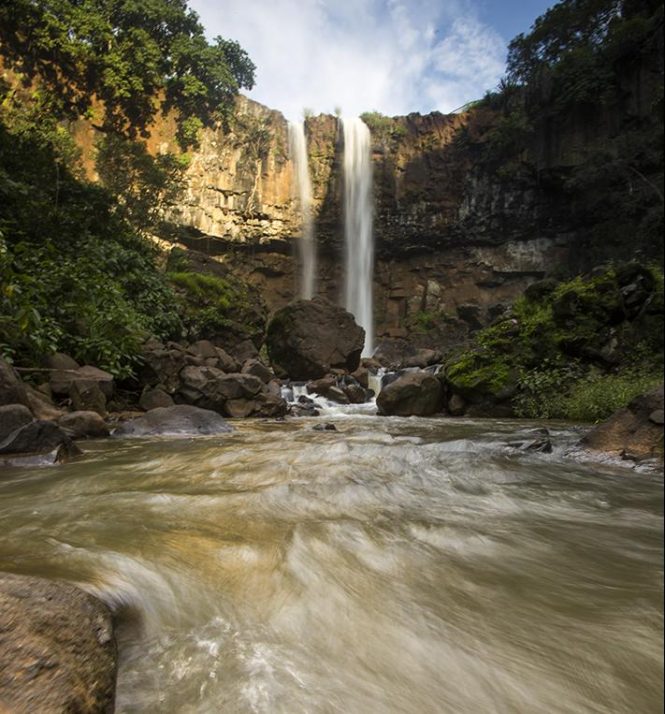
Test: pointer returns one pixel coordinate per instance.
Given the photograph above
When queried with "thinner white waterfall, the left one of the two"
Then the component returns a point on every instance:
(307, 247)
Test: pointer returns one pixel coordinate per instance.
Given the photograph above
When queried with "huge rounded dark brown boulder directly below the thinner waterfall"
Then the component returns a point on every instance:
(308, 338)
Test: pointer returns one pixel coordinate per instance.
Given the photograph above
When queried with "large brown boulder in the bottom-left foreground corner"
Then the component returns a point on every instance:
(57, 648)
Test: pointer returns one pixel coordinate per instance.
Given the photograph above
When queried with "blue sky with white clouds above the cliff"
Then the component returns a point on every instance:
(391, 56)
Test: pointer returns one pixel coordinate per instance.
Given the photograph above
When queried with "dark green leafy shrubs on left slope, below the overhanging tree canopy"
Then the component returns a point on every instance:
(74, 275)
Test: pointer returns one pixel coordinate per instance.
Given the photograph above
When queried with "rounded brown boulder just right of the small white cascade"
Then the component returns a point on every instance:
(412, 394)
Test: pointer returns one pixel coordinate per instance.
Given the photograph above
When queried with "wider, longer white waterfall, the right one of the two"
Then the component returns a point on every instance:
(358, 219)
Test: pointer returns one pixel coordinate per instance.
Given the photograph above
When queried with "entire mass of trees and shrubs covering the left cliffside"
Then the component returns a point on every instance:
(78, 272)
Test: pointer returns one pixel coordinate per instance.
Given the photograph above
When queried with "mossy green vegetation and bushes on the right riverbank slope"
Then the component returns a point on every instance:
(572, 350)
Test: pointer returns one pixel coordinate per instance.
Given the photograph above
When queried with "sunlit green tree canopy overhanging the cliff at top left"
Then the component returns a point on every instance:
(136, 56)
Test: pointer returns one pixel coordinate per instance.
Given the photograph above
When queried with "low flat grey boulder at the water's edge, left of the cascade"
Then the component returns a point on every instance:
(181, 420)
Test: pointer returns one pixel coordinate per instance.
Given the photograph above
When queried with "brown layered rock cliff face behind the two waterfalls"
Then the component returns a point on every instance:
(453, 244)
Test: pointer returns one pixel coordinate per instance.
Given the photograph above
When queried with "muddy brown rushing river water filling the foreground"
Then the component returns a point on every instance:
(393, 566)
